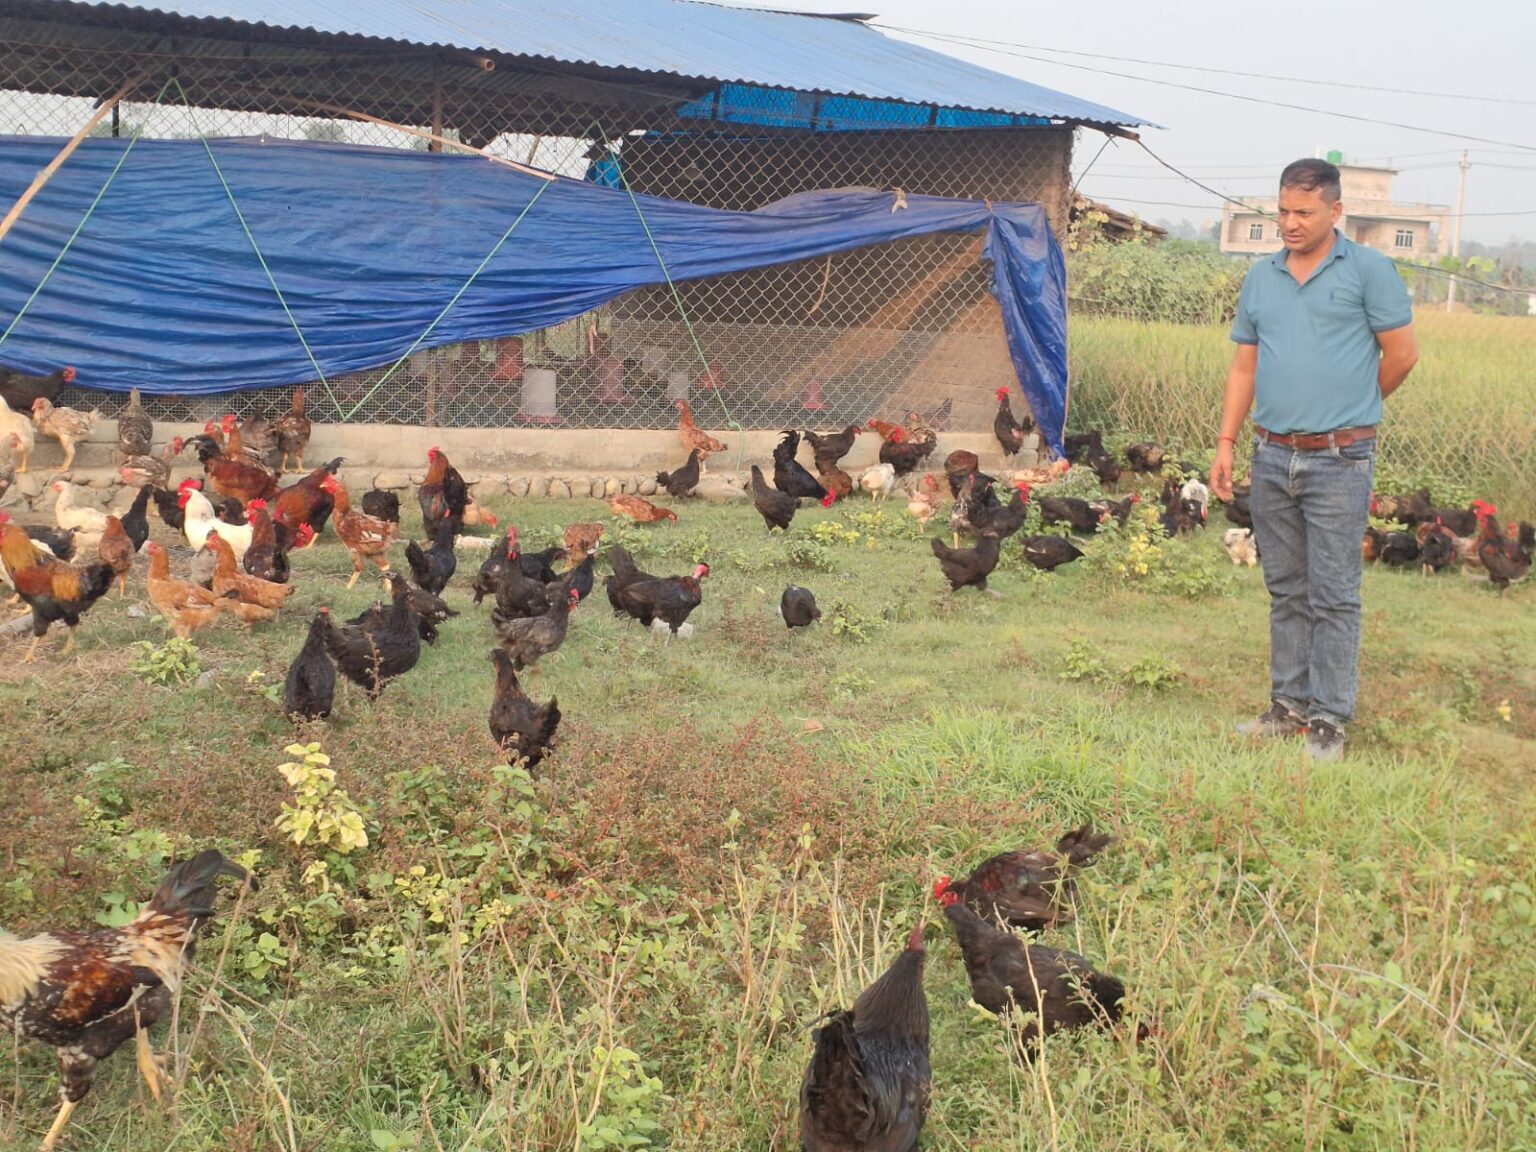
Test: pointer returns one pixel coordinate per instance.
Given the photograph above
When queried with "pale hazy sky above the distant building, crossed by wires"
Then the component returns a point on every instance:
(1465, 48)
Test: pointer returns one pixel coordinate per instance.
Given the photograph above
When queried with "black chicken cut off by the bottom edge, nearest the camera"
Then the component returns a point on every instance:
(867, 1085)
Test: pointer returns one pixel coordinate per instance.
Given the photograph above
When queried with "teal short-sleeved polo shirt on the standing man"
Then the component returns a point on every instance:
(1317, 342)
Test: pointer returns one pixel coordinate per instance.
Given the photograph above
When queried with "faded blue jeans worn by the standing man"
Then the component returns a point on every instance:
(1311, 511)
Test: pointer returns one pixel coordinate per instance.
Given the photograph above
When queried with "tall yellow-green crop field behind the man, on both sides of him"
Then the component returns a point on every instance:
(1468, 415)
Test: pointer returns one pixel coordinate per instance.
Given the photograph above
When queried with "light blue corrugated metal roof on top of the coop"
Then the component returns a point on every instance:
(678, 38)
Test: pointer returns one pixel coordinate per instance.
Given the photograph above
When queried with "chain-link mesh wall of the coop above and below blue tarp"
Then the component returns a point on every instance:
(872, 333)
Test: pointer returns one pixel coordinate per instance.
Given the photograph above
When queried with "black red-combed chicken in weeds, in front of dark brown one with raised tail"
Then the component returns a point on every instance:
(1054, 988)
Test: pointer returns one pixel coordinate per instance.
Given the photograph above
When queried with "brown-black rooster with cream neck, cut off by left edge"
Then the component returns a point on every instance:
(88, 993)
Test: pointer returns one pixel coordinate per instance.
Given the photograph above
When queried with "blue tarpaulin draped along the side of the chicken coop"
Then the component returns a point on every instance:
(164, 288)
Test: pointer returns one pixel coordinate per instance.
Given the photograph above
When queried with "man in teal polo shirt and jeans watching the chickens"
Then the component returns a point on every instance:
(1325, 334)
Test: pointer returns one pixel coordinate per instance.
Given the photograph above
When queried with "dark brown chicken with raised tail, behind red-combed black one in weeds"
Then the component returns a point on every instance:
(1030, 890)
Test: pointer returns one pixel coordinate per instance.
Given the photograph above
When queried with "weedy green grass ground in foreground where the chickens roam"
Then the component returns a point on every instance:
(738, 832)
